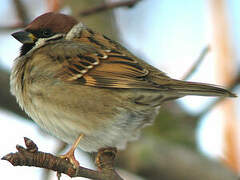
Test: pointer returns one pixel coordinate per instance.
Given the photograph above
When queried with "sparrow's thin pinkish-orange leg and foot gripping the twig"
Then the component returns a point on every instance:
(70, 154)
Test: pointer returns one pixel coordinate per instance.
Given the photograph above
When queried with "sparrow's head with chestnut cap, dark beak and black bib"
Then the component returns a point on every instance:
(45, 26)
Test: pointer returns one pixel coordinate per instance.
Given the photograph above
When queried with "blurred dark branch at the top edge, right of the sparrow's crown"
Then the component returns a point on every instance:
(107, 6)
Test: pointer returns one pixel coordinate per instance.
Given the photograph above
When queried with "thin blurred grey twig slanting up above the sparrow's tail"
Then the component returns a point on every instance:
(197, 62)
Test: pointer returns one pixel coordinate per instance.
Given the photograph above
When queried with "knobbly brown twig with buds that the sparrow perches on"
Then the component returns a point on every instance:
(30, 156)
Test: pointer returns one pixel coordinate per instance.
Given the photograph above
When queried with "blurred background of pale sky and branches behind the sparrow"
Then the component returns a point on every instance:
(192, 138)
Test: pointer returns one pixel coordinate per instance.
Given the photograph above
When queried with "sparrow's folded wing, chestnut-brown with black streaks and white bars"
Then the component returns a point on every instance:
(90, 66)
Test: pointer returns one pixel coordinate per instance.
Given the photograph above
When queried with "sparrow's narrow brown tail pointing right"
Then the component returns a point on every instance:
(183, 88)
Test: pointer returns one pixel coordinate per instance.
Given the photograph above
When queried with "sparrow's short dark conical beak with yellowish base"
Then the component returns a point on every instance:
(24, 37)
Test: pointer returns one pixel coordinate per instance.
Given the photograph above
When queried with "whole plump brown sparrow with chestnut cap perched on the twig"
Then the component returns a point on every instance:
(88, 90)
